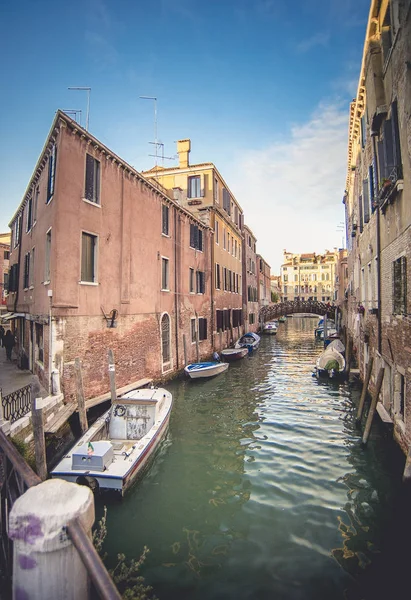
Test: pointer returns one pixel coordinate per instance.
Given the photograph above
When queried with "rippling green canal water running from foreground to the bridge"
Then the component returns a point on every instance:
(263, 491)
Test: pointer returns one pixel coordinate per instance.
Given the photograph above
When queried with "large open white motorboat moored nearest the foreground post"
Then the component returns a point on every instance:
(115, 450)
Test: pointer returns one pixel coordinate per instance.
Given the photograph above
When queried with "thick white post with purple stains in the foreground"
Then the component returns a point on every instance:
(45, 563)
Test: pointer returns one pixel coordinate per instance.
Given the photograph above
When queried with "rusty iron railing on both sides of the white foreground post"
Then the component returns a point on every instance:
(16, 477)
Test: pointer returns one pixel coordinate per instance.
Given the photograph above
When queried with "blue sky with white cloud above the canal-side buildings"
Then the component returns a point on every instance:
(262, 88)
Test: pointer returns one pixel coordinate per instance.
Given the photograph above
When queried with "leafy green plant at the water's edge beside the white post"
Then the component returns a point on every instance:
(125, 574)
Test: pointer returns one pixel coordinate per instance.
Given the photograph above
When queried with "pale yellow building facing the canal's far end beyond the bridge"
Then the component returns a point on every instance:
(309, 276)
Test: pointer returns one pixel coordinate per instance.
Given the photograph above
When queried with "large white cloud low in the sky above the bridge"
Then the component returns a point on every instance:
(291, 192)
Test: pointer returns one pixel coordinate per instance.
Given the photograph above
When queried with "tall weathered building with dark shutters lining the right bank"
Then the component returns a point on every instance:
(377, 201)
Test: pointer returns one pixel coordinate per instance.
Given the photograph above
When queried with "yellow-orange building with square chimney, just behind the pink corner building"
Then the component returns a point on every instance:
(202, 190)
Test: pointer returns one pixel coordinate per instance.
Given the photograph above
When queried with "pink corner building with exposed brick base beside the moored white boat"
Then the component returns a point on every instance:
(109, 260)
